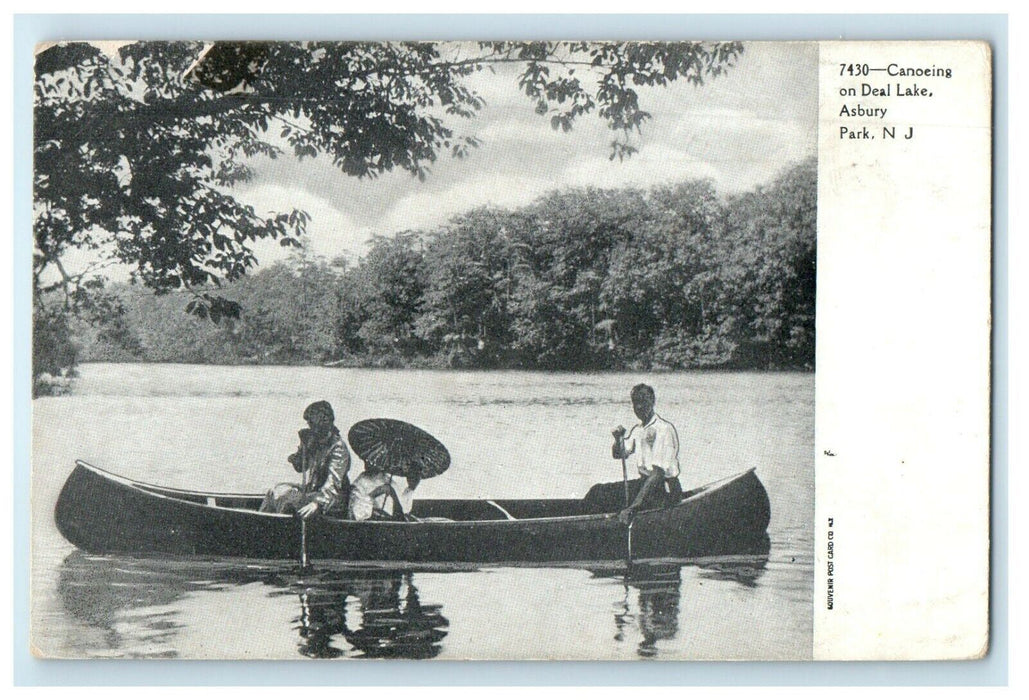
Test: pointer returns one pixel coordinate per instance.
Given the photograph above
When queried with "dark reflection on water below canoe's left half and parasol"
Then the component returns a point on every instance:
(342, 613)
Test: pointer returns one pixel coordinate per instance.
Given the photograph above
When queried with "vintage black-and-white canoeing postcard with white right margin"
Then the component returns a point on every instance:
(512, 351)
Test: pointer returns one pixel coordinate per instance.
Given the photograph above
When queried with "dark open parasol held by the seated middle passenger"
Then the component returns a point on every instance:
(399, 448)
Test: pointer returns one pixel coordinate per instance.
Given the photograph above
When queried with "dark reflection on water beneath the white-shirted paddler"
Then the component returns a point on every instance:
(659, 594)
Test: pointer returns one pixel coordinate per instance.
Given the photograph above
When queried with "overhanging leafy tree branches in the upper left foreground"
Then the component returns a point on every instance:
(136, 153)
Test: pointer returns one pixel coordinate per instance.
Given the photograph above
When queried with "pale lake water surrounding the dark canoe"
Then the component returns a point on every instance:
(511, 435)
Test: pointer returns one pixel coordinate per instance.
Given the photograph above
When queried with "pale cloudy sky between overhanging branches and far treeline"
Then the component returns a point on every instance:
(739, 130)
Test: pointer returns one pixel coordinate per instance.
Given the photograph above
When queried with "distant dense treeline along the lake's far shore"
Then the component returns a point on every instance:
(587, 279)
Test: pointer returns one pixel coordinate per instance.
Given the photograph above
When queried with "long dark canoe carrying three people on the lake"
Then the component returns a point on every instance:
(103, 513)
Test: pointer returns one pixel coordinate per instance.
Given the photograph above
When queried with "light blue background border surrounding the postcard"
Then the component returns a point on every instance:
(31, 29)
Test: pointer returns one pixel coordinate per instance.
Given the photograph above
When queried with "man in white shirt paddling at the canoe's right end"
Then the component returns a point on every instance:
(656, 445)
